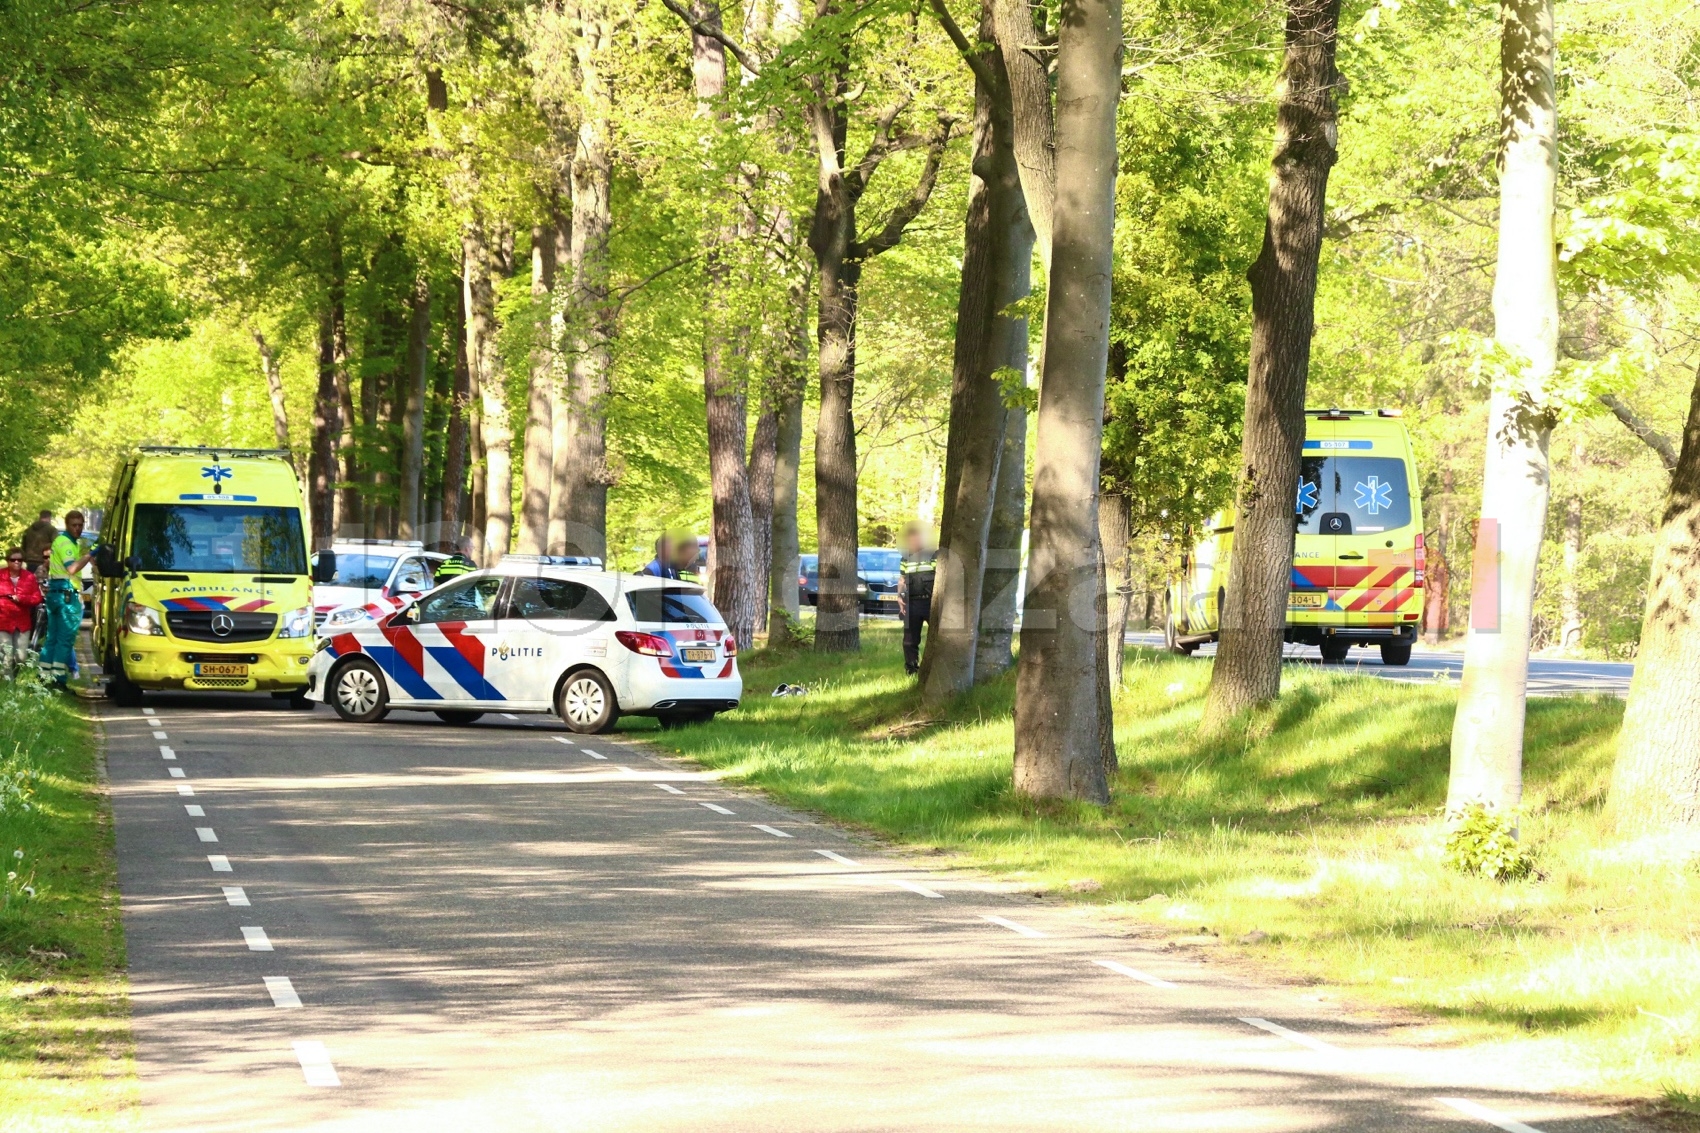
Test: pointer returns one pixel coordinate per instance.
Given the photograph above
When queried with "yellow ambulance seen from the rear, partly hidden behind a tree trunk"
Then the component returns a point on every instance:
(1357, 564)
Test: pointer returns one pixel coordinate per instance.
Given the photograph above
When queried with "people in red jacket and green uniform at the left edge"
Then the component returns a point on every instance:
(45, 574)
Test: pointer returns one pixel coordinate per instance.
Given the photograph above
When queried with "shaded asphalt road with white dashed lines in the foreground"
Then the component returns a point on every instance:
(412, 926)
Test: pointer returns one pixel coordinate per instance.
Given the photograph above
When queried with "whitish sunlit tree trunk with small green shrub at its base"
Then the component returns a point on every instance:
(1488, 729)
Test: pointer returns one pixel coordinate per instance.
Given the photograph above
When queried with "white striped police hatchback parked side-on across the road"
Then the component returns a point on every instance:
(538, 635)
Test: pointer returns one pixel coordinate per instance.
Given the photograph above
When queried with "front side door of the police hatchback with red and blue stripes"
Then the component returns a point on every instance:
(455, 634)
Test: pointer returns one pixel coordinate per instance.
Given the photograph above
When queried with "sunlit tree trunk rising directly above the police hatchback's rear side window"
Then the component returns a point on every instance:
(586, 516)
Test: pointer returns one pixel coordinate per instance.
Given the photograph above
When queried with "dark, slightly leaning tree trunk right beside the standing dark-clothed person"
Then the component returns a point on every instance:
(997, 266)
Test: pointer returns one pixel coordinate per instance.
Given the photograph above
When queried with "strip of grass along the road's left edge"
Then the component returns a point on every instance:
(65, 1050)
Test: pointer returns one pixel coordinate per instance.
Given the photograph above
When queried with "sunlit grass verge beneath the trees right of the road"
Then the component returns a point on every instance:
(1308, 843)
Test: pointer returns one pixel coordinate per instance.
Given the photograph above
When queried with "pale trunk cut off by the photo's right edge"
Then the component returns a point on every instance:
(1657, 780)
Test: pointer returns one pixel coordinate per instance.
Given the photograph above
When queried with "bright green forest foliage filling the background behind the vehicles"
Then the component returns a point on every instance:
(190, 191)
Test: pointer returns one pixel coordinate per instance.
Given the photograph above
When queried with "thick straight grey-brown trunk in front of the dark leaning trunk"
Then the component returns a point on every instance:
(1060, 727)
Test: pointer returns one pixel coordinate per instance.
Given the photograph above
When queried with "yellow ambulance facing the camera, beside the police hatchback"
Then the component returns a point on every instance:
(203, 576)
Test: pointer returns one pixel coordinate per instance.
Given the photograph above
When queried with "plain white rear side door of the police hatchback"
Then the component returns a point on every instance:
(552, 625)
